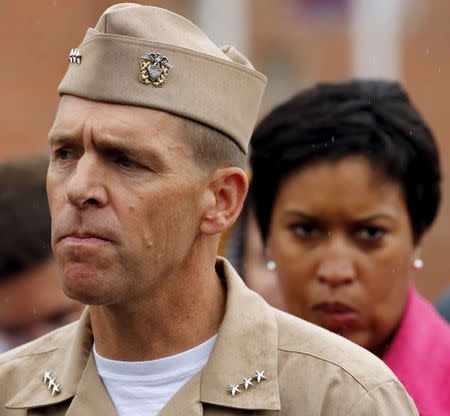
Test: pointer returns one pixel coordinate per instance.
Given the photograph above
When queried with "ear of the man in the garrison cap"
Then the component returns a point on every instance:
(229, 188)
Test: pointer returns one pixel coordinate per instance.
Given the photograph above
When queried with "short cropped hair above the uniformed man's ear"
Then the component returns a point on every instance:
(211, 148)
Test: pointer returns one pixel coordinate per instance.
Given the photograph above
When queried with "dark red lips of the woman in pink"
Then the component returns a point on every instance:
(335, 316)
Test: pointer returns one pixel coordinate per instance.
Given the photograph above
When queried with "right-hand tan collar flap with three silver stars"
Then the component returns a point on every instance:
(247, 342)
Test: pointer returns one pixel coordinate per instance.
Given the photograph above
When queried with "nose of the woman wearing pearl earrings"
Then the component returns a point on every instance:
(336, 269)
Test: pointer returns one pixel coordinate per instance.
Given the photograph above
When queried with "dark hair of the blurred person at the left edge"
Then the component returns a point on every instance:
(25, 217)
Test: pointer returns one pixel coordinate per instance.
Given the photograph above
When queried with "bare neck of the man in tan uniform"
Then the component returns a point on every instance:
(172, 320)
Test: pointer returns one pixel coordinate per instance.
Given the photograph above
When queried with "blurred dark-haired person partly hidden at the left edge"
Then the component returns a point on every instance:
(32, 302)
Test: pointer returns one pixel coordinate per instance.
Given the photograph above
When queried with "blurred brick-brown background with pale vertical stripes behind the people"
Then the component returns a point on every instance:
(294, 42)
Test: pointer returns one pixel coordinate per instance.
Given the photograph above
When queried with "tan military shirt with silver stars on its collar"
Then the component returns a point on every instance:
(308, 370)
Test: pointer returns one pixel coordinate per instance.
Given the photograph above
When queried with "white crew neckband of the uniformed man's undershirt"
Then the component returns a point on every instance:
(158, 370)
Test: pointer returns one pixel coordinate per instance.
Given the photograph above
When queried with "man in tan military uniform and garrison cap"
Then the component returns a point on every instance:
(147, 156)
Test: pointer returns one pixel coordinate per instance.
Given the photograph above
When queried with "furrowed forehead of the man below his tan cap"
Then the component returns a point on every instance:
(153, 136)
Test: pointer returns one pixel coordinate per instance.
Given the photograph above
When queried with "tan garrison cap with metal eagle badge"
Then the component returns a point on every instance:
(151, 57)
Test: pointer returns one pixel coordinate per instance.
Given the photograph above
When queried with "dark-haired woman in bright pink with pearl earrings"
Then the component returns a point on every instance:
(346, 180)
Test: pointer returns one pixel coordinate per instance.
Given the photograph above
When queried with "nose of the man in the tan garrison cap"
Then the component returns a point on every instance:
(86, 186)
